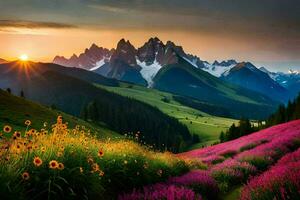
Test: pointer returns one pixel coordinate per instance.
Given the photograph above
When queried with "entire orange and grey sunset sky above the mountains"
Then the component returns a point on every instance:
(265, 32)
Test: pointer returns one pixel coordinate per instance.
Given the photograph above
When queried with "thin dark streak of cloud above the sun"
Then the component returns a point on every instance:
(33, 24)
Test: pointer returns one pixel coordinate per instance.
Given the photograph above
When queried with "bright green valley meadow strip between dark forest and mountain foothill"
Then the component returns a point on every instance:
(206, 126)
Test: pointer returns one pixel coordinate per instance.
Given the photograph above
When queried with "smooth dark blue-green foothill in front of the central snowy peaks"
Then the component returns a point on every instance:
(184, 79)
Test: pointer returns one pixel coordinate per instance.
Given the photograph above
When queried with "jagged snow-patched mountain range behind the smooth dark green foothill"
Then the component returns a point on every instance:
(142, 65)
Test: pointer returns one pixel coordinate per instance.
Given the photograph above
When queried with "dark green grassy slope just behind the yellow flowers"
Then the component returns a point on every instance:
(15, 110)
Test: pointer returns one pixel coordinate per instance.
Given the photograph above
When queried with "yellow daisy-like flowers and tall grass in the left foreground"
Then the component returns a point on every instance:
(61, 163)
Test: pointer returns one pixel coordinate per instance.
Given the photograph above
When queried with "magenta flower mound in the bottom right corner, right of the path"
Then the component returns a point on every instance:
(282, 181)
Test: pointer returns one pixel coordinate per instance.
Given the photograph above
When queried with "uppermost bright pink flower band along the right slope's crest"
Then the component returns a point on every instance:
(263, 139)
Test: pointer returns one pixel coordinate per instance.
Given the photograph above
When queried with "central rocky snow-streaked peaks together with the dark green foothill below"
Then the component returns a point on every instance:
(148, 65)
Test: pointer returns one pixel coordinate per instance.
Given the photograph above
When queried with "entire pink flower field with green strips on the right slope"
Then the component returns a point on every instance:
(248, 160)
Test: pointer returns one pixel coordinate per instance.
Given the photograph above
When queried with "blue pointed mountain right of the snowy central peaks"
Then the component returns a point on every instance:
(246, 75)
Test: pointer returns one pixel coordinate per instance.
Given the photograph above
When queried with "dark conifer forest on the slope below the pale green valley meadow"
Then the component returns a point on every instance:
(126, 115)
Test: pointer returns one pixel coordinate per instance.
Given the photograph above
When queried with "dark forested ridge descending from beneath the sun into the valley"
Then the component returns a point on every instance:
(74, 91)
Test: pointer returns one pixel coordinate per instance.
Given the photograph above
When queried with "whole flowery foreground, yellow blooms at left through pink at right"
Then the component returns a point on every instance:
(61, 162)
